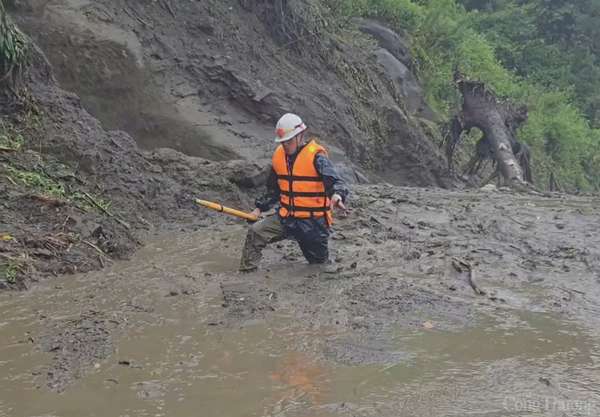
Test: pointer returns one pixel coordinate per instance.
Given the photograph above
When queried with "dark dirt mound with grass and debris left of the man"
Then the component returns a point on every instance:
(75, 195)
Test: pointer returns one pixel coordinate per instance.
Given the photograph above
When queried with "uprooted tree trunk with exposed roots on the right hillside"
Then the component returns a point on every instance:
(499, 122)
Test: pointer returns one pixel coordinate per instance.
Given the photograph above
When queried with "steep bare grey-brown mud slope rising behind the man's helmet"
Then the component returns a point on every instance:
(181, 75)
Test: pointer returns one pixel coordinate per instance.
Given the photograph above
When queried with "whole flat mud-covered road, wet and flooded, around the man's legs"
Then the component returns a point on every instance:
(445, 304)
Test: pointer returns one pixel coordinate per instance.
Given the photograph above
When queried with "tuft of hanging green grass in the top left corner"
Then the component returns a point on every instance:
(13, 50)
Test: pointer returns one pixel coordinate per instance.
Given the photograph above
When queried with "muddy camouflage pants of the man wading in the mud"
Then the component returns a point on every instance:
(311, 234)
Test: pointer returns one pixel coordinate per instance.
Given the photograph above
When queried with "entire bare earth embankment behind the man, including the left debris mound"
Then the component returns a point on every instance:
(206, 79)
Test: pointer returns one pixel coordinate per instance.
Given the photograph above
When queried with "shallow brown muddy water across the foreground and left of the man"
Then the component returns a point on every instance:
(158, 336)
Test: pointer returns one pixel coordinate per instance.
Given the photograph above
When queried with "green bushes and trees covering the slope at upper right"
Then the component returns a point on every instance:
(538, 52)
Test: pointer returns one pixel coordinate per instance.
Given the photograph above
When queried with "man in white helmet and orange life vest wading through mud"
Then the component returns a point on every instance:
(307, 188)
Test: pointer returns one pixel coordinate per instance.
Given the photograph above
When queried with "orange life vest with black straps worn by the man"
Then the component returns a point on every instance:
(302, 191)
